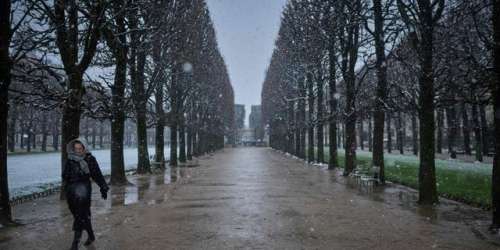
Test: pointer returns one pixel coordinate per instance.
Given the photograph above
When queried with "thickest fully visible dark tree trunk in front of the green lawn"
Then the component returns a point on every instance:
(421, 29)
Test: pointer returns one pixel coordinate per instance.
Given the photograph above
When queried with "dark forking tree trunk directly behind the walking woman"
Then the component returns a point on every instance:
(69, 36)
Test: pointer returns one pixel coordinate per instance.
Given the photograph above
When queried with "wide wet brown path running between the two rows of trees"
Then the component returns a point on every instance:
(254, 198)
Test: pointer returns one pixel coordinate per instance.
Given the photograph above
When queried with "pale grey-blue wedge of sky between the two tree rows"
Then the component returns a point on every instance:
(246, 31)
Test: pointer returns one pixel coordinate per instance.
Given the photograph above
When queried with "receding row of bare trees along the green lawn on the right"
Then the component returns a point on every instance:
(357, 69)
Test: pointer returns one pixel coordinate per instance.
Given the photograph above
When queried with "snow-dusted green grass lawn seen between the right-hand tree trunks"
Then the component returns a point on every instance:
(467, 182)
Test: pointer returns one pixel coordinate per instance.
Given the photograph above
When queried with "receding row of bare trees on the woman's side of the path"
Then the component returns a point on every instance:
(155, 63)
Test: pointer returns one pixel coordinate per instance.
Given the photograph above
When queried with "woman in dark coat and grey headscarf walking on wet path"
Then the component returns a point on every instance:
(79, 168)
